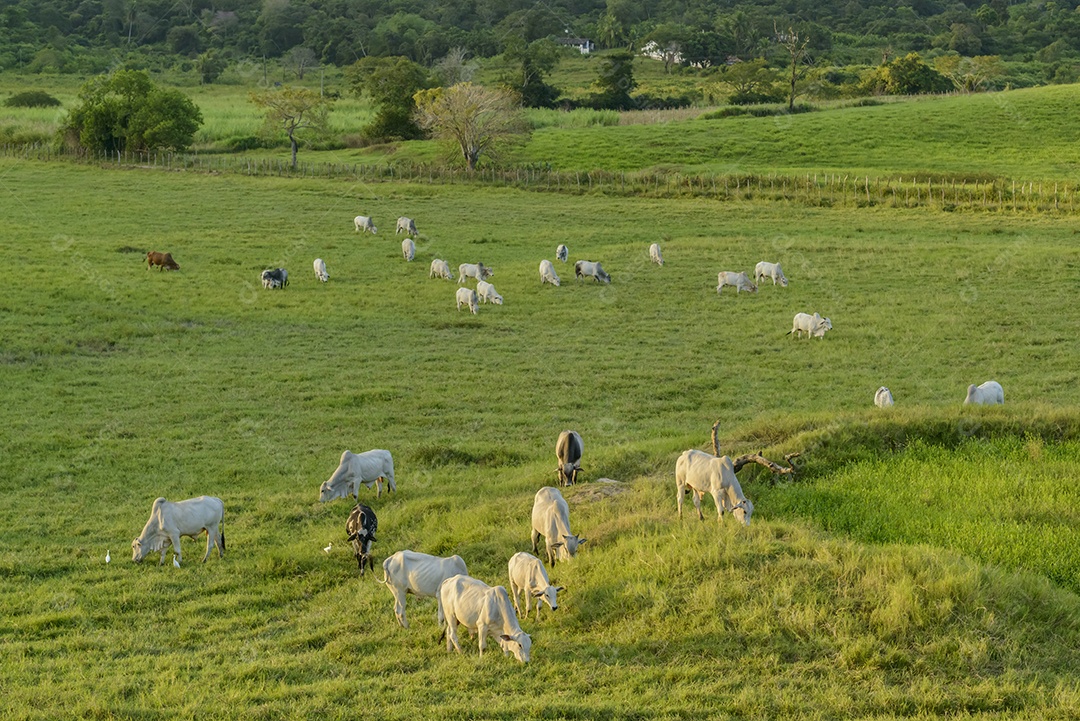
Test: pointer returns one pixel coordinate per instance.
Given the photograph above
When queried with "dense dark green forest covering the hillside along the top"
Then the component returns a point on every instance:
(91, 36)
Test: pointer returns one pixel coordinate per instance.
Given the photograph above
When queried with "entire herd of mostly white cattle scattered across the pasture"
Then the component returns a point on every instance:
(484, 610)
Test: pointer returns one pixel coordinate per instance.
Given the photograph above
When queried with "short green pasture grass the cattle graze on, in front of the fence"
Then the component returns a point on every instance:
(123, 385)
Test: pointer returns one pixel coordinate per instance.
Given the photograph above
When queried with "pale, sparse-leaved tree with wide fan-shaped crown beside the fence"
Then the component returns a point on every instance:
(477, 120)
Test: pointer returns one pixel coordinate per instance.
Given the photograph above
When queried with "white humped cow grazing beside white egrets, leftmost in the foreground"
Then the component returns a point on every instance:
(169, 522)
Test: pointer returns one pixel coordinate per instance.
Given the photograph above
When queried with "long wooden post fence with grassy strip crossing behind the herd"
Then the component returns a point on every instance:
(815, 189)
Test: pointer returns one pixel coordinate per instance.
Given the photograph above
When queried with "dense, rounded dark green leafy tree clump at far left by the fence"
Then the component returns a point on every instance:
(127, 112)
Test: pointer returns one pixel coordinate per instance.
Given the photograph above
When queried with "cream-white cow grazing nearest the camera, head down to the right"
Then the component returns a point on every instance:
(484, 611)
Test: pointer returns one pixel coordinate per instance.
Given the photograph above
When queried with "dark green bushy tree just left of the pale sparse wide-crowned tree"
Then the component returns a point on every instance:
(391, 84)
